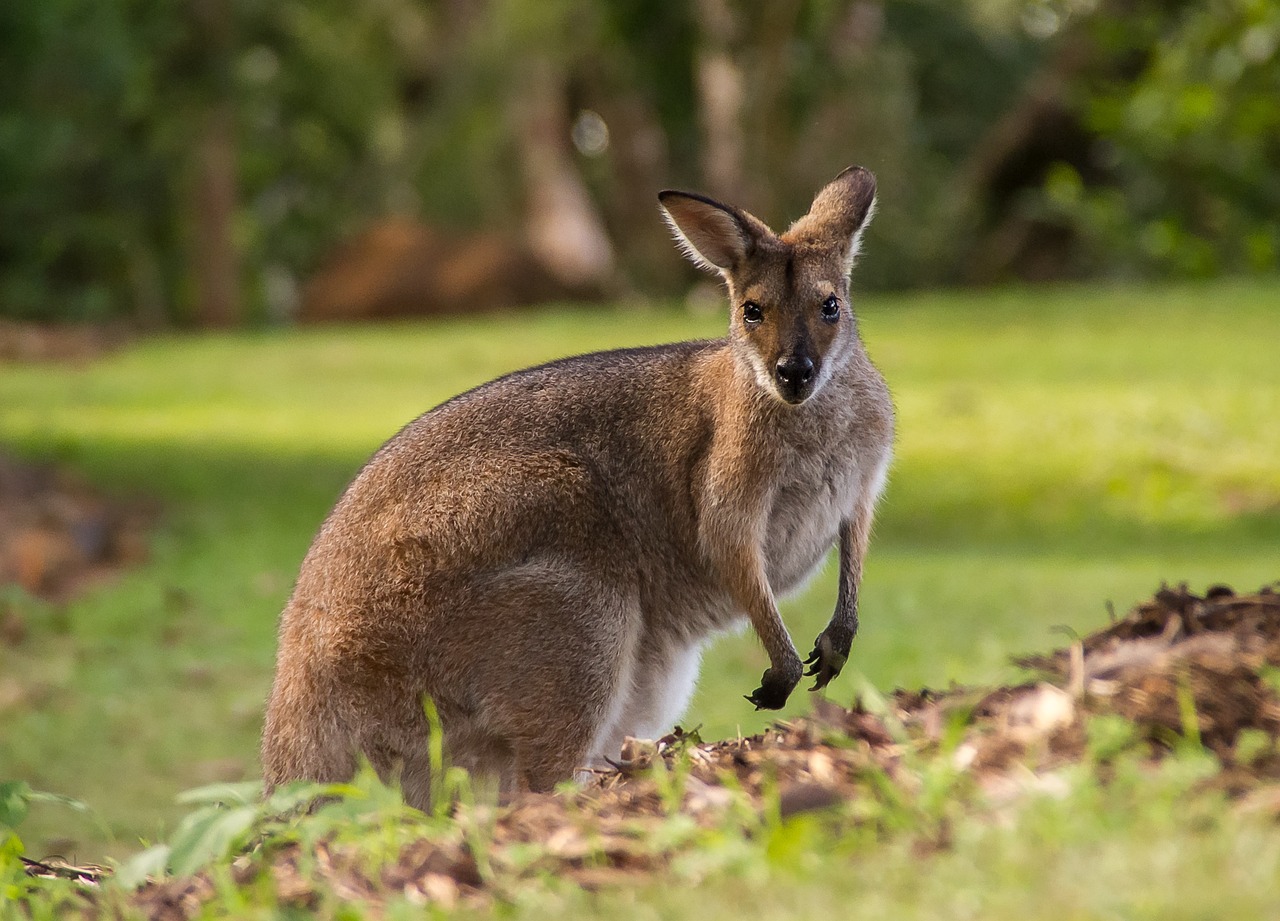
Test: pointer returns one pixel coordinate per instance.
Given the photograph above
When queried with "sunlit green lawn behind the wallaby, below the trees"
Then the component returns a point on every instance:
(1057, 450)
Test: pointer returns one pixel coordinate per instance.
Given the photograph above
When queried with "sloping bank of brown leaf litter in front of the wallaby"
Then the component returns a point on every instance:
(1178, 670)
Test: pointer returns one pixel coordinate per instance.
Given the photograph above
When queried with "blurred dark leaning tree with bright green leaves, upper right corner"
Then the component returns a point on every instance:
(1148, 145)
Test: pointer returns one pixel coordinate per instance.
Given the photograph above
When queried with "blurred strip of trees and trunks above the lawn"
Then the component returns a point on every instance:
(232, 162)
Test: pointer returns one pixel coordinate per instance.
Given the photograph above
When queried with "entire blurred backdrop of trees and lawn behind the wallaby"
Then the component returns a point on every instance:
(1072, 287)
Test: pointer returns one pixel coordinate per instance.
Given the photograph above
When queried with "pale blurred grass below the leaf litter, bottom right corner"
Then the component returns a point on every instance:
(1141, 849)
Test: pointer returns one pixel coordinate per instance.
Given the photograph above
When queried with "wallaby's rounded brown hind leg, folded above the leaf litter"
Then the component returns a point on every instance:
(527, 716)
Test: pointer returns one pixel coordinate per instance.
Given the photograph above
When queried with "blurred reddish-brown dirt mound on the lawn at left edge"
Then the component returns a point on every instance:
(58, 535)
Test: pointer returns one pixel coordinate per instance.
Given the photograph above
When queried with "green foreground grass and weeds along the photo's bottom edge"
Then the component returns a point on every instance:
(1150, 844)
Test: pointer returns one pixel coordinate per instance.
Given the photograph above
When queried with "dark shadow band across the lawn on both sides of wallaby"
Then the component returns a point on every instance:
(268, 498)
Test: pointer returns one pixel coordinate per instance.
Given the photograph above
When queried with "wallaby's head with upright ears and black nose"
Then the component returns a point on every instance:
(792, 324)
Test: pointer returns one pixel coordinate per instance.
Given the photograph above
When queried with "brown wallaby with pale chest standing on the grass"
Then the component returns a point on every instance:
(546, 556)
